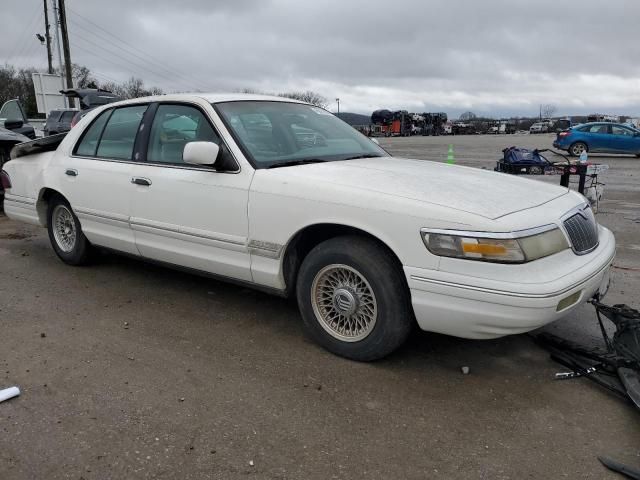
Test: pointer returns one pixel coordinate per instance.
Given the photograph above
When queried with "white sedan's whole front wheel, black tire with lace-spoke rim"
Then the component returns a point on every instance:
(354, 299)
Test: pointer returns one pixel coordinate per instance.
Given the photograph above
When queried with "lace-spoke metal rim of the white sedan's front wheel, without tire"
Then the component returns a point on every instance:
(344, 303)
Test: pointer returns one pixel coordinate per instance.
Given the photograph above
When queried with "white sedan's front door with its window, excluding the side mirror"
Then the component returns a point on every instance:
(188, 215)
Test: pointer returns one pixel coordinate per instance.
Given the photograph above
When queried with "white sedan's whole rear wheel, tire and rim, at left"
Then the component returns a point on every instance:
(65, 233)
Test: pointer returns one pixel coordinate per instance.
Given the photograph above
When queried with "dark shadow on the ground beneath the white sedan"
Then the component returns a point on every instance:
(281, 318)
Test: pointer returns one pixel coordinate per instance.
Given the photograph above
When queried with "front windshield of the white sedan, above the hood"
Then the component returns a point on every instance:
(273, 134)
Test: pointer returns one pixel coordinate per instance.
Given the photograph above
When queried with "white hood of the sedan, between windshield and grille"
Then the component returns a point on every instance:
(477, 191)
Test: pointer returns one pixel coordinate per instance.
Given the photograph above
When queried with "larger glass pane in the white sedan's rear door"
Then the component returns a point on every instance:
(119, 135)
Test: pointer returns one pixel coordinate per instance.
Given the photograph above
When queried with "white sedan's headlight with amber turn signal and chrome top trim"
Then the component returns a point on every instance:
(516, 247)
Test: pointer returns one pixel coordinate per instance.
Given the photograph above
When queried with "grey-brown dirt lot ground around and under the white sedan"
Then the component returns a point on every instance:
(132, 371)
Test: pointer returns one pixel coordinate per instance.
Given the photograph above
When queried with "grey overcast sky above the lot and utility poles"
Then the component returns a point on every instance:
(490, 57)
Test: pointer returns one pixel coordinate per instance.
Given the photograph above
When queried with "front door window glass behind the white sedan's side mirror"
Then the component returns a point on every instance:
(173, 127)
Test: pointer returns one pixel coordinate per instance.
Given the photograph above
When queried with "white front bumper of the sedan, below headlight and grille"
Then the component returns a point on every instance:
(472, 307)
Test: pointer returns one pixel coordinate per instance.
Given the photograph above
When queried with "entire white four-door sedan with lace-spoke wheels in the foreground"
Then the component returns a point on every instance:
(283, 196)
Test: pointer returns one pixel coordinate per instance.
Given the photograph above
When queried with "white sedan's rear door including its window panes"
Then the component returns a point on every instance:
(96, 177)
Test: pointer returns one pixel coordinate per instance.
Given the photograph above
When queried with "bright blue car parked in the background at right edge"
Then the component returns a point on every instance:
(599, 137)
